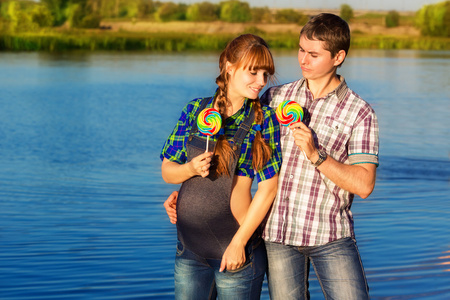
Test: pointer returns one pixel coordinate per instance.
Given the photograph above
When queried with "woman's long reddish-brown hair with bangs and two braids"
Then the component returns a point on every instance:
(251, 52)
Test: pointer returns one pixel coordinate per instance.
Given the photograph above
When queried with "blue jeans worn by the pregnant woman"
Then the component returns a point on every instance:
(198, 278)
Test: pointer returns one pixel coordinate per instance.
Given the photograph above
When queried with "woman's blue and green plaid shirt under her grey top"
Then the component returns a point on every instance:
(175, 147)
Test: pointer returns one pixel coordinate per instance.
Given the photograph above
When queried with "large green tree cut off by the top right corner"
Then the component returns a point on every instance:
(434, 20)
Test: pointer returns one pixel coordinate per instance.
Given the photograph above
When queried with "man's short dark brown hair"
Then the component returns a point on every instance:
(331, 29)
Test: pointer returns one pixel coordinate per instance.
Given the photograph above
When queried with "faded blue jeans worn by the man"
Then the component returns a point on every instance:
(337, 265)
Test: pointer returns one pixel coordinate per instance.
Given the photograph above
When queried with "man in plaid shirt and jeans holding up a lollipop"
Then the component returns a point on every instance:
(311, 221)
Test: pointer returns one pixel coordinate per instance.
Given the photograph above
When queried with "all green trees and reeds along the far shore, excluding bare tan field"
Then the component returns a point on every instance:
(74, 24)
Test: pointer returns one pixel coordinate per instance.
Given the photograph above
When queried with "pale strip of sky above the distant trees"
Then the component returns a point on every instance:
(398, 5)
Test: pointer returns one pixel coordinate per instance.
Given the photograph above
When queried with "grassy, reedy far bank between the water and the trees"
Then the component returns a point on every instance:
(179, 36)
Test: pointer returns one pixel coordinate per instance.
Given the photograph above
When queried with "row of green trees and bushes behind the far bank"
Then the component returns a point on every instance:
(27, 15)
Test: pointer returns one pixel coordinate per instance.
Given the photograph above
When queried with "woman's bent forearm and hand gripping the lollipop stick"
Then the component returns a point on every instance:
(173, 172)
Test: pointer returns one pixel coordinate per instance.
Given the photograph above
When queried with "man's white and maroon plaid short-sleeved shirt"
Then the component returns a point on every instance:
(309, 209)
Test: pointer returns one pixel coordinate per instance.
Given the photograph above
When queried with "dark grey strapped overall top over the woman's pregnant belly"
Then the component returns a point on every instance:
(205, 223)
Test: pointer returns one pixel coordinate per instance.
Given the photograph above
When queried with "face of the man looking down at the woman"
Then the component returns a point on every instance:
(316, 62)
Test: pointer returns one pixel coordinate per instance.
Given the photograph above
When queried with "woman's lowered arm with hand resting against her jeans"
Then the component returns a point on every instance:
(234, 256)
